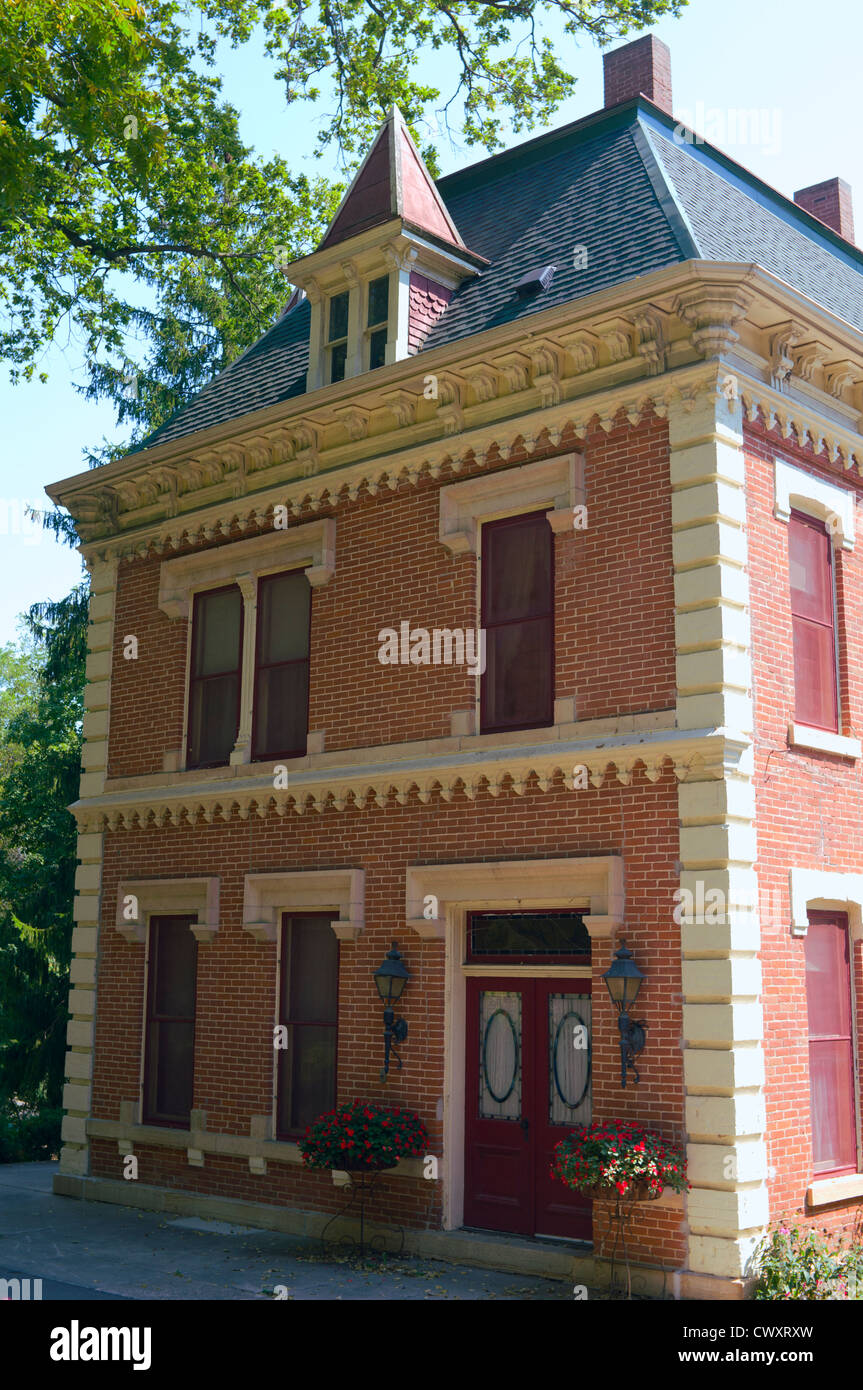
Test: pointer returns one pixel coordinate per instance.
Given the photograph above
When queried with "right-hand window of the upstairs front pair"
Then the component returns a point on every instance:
(281, 676)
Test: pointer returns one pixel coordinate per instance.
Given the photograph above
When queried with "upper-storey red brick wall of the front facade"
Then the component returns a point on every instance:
(614, 596)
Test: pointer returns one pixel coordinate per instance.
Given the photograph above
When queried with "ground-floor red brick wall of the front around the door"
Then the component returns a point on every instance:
(237, 976)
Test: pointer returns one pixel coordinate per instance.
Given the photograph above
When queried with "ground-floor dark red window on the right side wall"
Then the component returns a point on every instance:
(832, 1072)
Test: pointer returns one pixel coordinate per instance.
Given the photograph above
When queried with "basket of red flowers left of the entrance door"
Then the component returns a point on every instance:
(363, 1138)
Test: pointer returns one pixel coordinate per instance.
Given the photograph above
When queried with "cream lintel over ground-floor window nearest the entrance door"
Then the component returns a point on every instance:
(341, 892)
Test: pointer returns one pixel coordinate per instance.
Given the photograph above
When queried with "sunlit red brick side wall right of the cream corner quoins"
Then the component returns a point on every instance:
(808, 810)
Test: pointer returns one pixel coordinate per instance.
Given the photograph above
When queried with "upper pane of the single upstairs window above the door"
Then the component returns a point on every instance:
(518, 564)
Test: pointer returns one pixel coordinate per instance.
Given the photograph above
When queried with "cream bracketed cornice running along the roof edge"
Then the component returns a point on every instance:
(475, 402)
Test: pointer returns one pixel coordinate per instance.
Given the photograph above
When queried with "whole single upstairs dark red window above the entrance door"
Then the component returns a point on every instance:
(518, 690)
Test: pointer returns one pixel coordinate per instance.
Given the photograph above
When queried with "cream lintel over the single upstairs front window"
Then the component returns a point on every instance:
(551, 483)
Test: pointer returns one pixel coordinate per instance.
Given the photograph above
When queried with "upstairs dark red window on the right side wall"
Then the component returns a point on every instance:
(814, 625)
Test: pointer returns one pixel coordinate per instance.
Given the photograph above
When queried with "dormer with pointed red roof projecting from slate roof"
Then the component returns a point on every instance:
(388, 266)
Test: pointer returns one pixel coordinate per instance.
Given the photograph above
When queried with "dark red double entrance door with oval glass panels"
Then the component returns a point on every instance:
(529, 1084)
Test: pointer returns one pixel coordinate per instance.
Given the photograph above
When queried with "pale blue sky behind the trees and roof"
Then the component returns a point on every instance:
(797, 65)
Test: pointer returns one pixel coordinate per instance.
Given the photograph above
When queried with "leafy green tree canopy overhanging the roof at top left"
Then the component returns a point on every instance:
(133, 215)
